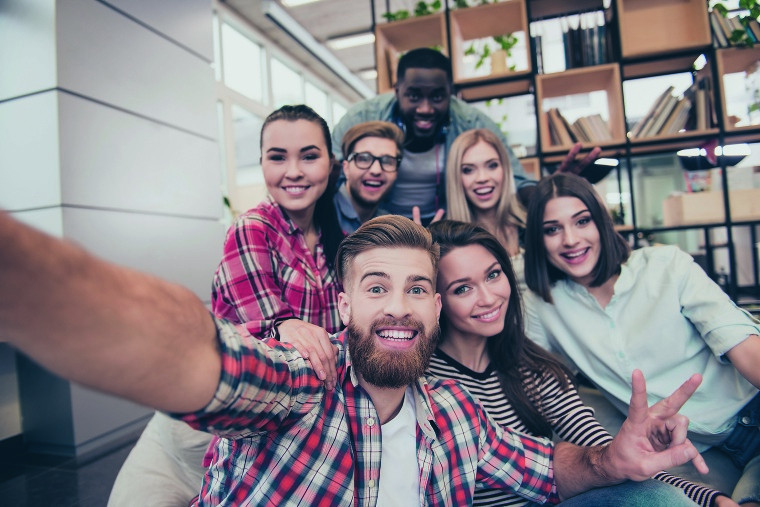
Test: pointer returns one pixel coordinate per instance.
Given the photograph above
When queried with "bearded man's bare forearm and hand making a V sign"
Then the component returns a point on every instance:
(651, 439)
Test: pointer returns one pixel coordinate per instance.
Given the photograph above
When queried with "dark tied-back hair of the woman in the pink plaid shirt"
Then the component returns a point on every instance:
(325, 215)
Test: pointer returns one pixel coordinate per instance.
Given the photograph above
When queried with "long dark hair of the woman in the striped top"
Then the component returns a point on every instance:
(516, 359)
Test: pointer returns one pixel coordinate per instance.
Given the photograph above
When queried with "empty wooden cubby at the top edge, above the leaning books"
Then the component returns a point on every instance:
(652, 27)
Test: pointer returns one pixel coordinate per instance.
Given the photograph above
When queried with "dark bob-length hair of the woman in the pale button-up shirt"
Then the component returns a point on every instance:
(540, 274)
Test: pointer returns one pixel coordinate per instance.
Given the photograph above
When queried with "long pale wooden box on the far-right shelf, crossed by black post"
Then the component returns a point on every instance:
(707, 207)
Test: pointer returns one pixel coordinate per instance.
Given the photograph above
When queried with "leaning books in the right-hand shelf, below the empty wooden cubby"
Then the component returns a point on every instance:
(670, 113)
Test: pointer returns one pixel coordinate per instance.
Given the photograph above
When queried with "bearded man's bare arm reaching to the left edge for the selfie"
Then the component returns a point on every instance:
(107, 327)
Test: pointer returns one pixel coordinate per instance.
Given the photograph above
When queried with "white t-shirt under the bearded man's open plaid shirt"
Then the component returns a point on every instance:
(399, 472)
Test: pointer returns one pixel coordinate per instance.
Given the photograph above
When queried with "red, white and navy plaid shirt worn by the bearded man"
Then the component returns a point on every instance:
(289, 441)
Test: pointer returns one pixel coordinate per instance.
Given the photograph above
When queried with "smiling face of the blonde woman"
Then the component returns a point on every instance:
(482, 176)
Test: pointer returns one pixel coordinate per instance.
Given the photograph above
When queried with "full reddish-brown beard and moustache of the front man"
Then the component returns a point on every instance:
(386, 367)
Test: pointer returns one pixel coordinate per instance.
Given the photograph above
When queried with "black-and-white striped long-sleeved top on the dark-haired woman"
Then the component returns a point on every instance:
(571, 420)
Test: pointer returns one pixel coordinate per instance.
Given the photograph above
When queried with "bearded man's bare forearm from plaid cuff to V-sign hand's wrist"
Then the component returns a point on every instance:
(578, 469)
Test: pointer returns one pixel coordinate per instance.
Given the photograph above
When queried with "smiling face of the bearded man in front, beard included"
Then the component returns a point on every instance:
(391, 309)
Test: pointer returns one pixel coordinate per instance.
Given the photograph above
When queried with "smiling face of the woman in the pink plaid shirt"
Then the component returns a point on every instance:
(296, 165)
